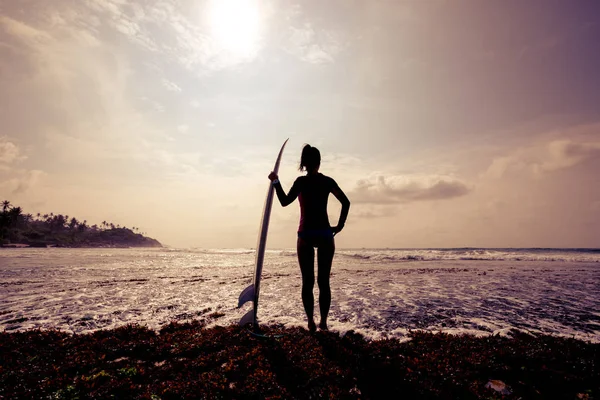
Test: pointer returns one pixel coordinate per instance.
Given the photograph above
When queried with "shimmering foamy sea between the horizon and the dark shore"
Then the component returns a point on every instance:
(376, 292)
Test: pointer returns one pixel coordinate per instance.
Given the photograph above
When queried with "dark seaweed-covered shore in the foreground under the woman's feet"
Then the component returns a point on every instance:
(188, 360)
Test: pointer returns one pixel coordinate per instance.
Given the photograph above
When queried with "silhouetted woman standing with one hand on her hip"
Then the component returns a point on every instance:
(313, 191)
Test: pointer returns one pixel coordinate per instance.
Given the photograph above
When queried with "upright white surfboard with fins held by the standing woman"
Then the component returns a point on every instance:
(252, 291)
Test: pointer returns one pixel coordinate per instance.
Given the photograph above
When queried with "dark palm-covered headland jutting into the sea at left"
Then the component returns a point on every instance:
(18, 229)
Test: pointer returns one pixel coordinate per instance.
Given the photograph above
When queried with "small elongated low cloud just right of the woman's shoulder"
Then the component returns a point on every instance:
(397, 189)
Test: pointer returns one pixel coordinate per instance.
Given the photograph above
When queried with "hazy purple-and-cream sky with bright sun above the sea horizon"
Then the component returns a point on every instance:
(447, 124)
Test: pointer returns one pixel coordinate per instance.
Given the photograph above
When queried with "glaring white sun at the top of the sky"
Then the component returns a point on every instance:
(234, 25)
